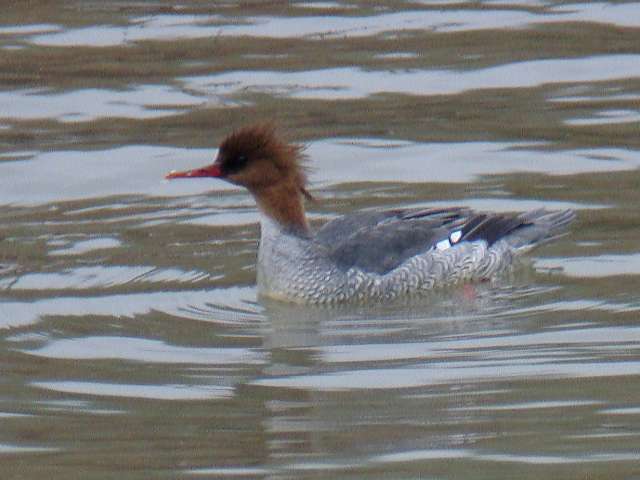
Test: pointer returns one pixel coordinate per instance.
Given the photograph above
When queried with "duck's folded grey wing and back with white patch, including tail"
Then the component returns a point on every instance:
(378, 242)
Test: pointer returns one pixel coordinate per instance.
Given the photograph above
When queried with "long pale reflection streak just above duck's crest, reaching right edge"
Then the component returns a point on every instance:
(346, 83)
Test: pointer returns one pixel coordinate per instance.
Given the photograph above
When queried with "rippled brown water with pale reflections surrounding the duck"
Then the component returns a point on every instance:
(132, 345)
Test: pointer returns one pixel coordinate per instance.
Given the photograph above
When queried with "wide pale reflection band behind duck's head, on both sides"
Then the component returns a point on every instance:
(125, 170)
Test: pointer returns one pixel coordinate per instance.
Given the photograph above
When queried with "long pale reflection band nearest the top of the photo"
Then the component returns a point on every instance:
(169, 27)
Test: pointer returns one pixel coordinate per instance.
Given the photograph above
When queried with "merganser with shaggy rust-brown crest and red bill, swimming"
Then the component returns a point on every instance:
(377, 255)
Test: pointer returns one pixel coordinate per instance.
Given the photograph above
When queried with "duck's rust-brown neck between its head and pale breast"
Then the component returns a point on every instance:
(283, 205)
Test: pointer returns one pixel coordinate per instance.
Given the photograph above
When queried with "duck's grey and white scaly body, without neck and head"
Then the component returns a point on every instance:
(376, 256)
